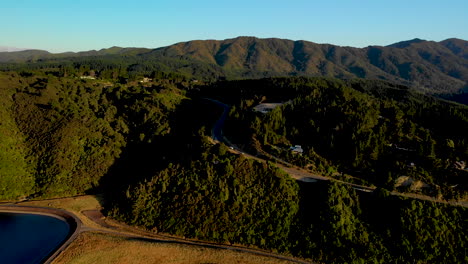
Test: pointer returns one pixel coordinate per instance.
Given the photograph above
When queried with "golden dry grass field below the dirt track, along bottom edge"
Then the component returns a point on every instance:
(103, 248)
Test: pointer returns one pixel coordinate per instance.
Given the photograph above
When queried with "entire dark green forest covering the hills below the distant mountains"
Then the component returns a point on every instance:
(141, 136)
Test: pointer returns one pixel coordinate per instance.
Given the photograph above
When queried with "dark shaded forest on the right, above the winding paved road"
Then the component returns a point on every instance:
(374, 130)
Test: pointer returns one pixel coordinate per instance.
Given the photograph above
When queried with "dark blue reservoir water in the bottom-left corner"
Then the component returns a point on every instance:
(29, 238)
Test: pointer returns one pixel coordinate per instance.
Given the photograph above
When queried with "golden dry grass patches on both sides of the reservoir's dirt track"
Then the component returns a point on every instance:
(105, 248)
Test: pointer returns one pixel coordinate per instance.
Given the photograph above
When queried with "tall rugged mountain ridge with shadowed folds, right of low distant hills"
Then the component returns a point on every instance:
(440, 66)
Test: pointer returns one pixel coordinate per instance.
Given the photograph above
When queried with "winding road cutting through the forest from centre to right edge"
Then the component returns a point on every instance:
(301, 174)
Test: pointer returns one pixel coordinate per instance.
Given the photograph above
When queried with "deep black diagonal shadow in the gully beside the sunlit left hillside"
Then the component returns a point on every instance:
(142, 160)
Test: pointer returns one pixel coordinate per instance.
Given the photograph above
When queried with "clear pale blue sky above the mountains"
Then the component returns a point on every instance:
(76, 25)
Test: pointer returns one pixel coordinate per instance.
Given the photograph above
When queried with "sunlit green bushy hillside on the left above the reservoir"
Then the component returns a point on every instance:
(61, 135)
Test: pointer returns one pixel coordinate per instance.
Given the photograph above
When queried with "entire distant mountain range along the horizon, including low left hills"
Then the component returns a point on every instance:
(437, 67)
